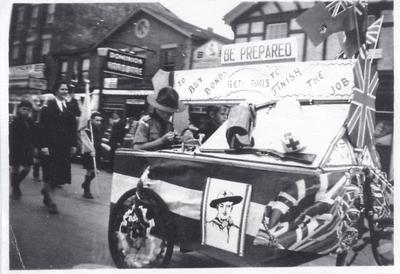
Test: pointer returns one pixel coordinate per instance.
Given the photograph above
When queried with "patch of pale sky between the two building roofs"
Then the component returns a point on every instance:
(204, 13)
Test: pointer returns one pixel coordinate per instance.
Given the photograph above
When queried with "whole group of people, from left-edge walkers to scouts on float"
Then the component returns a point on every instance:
(43, 135)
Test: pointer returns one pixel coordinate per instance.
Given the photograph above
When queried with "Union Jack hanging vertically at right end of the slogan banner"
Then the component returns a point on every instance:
(361, 118)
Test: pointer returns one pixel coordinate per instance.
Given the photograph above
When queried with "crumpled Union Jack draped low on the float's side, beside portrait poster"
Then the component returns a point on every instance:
(305, 210)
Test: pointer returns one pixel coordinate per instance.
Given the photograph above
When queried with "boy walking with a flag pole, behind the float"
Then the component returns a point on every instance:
(88, 157)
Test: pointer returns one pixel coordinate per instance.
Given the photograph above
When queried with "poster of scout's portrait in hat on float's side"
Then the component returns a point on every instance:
(224, 214)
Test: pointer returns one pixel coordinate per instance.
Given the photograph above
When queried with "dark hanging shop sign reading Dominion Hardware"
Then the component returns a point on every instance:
(124, 64)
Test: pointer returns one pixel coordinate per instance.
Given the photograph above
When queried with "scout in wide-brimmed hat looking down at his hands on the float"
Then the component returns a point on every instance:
(155, 131)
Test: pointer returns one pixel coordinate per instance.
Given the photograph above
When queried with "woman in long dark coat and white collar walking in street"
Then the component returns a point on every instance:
(59, 141)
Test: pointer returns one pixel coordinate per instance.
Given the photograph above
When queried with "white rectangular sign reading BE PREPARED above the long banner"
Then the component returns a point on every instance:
(284, 49)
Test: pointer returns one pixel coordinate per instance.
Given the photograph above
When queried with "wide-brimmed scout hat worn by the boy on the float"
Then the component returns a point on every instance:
(167, 100)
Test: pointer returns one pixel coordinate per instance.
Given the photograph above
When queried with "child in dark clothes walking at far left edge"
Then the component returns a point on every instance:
(21, 146)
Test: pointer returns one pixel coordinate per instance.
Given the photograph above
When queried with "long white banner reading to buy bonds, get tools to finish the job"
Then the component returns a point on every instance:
(263, 82)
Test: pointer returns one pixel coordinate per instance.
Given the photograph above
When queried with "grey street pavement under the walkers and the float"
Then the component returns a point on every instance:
(76, 238)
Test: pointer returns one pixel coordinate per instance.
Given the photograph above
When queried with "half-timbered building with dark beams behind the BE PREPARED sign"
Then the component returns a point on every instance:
(252, 21)
